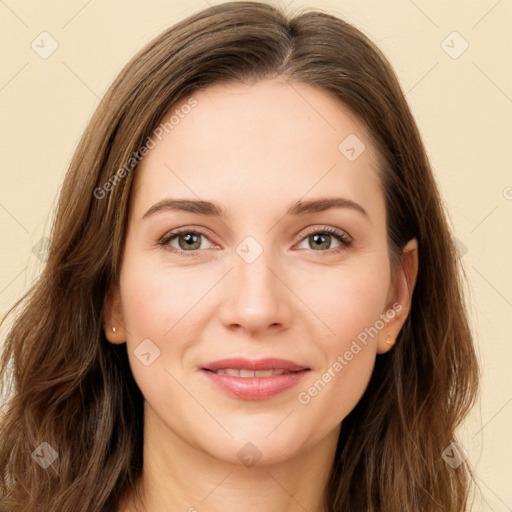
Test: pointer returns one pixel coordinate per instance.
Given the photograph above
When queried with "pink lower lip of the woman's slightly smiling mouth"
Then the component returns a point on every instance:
(254, 388)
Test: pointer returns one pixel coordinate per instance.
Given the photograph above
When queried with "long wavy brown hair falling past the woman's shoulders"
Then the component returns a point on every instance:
(74, 390)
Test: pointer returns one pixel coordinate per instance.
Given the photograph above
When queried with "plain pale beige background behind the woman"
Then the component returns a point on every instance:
(463, 107)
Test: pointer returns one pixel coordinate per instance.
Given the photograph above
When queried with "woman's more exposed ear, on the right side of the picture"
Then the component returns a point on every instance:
(399, 297)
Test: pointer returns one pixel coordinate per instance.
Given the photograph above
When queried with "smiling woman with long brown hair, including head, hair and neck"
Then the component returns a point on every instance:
(252, 295)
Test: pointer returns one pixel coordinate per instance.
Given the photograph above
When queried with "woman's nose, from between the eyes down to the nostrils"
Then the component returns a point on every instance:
(256, 297)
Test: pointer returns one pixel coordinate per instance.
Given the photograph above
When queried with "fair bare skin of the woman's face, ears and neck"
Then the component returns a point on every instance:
(272, 146)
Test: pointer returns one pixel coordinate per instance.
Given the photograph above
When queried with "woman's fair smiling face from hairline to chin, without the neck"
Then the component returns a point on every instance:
(261, 280)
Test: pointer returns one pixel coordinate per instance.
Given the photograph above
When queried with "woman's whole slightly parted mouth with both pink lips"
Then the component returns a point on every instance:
(246, 379)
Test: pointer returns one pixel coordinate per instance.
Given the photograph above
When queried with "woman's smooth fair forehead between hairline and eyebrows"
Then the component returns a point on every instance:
(258, 144)
